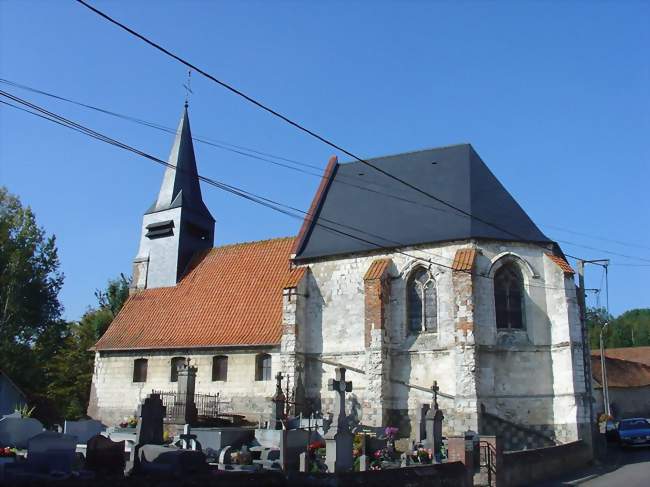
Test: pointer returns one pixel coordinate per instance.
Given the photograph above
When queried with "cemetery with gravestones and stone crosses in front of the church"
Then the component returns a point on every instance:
(283, 449)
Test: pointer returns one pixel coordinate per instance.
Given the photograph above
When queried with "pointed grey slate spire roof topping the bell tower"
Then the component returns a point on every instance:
(180, 186)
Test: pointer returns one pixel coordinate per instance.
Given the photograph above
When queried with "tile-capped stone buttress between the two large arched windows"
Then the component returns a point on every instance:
(466, 411)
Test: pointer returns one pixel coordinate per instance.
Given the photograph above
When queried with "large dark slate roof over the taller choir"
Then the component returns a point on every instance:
(455, 174)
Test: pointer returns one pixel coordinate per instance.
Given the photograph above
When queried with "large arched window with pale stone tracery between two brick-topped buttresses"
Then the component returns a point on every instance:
(422, 302)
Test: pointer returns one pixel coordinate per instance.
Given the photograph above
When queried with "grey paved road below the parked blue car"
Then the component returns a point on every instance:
(626, 468)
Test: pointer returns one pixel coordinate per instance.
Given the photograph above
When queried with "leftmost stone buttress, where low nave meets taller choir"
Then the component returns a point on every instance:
(294, 297)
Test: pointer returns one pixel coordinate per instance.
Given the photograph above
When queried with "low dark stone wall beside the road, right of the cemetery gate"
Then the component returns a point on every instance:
(528, 466)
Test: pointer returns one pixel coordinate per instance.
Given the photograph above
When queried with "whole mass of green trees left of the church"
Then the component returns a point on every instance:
(49, 358)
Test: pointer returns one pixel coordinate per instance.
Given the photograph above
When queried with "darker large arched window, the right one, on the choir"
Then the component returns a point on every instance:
(509, 297)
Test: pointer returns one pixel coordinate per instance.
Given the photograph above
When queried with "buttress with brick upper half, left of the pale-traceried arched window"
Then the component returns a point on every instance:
(376, 299)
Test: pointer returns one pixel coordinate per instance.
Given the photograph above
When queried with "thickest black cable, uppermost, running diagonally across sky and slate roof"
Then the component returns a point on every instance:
(295, 124)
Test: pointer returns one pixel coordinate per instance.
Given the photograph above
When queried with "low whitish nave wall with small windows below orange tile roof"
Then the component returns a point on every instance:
(120, 396)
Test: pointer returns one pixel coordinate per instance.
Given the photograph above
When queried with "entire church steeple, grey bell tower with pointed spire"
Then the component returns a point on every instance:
(178, 224)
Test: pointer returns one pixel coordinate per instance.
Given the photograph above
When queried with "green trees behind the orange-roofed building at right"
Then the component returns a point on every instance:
(631, 329)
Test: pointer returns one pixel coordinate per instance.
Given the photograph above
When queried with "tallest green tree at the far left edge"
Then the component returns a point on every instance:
(30, 282)
